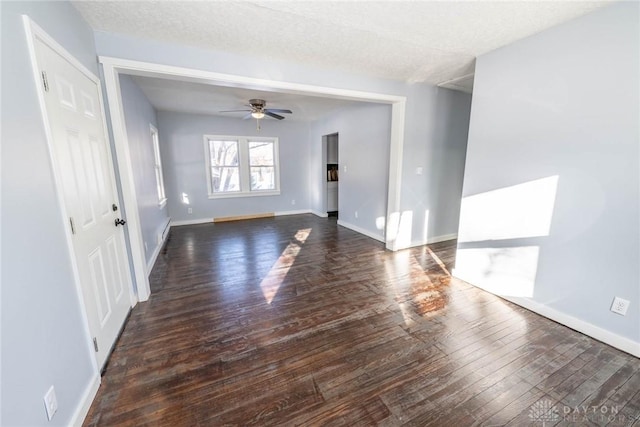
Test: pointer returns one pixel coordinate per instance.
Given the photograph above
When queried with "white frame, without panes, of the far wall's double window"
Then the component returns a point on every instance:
(243, 166)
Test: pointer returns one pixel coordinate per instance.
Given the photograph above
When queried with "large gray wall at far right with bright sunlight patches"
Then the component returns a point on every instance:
(563, 104)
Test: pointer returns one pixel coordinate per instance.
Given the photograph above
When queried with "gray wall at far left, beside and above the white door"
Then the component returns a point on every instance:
(44, 341)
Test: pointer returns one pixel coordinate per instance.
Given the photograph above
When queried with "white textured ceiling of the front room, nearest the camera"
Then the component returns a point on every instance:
(413, 41)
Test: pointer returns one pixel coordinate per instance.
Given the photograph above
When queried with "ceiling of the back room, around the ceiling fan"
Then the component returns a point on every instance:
(197, 98)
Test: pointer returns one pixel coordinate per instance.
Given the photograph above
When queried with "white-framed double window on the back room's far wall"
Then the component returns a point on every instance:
(239, 166)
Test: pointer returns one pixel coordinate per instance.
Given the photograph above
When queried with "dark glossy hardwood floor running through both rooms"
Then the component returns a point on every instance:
(296, 321)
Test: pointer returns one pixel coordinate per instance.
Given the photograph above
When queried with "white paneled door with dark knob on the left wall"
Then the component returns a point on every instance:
(83, 161)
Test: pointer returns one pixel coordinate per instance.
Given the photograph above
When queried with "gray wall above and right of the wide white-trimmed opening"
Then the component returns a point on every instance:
(421, 126)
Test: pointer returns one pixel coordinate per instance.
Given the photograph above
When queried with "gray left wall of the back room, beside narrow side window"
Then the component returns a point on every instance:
(139, 114)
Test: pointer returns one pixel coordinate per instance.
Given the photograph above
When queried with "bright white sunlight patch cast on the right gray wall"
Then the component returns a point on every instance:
(493, 252)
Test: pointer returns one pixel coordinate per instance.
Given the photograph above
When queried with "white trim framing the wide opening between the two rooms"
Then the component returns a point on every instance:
(113, 67)
